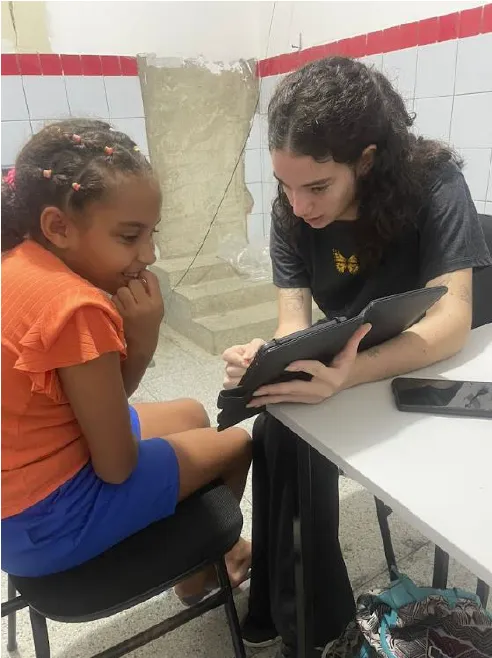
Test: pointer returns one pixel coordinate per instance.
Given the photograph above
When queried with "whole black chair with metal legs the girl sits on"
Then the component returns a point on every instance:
(203, 529)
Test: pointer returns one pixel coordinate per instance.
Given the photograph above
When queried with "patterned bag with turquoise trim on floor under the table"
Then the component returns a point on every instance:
(406, 621)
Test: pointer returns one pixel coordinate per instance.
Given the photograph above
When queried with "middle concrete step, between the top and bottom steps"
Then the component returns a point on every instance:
(220, 295)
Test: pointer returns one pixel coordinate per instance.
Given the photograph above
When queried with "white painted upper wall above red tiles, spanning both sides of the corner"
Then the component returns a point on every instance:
(223, 30)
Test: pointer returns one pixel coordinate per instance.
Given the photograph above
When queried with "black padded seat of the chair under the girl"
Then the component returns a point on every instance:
(204, 528)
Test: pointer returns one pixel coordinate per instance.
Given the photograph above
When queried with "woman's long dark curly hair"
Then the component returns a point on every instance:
(334, 108)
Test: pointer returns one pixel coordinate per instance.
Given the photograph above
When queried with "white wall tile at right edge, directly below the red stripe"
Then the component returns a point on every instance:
(474, 64)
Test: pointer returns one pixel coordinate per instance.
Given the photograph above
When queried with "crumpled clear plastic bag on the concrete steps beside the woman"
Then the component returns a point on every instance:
(251, 261)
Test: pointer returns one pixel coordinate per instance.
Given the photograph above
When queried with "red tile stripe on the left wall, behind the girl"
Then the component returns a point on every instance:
(49, 64)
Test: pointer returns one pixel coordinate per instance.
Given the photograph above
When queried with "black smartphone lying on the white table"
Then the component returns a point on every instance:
(443, 396)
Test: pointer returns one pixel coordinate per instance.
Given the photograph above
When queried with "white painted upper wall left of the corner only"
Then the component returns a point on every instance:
(219, 31)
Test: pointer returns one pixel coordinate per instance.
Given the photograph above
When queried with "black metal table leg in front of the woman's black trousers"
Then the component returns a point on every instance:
(303, 550)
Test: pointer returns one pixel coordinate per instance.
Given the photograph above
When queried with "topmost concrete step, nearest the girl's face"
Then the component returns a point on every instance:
(205, 268)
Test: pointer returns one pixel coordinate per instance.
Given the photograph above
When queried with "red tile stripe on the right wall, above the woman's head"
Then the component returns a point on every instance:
(462, 24)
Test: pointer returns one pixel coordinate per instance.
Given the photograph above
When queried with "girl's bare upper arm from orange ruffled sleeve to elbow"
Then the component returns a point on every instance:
(97, 396)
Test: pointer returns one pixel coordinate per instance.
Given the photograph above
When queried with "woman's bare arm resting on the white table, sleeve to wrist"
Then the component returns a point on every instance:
(439, 335)
